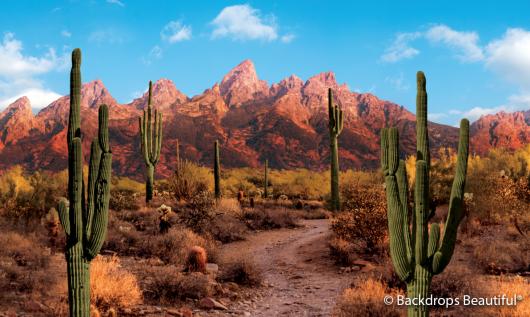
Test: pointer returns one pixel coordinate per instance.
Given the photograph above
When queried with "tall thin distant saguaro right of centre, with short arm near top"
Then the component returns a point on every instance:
(336, 123)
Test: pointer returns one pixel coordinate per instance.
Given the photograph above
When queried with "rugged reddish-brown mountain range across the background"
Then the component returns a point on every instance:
(285, 123)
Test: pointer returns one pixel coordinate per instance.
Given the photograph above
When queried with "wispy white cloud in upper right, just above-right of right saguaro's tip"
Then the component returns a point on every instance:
(466, 43)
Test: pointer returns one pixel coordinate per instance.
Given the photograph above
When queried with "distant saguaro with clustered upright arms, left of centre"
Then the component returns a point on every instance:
(151, 140)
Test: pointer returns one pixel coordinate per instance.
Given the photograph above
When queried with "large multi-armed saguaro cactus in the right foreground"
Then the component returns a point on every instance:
(418, 253)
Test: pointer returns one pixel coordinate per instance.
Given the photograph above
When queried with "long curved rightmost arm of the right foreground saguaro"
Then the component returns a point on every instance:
(445, 252)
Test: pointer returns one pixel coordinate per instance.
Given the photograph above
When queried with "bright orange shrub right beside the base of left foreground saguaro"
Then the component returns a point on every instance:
(111, 285)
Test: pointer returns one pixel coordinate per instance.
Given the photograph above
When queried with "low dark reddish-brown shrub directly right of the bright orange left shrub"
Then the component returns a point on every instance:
(167, 285)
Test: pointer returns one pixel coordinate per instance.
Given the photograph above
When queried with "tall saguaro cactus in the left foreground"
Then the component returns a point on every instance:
(85, 218)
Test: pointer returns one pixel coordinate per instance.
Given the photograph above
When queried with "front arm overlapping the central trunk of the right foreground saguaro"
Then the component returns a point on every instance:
(422, 211)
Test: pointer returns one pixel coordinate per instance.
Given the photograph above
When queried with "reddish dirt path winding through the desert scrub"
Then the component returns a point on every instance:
(300, 278)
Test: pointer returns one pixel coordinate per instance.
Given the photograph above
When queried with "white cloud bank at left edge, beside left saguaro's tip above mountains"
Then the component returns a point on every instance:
(18, 73)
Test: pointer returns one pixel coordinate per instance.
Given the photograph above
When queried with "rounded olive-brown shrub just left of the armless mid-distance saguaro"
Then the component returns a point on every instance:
(189, 180)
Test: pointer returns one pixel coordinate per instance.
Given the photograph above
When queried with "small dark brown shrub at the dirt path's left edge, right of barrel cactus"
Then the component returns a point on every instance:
(241, 271)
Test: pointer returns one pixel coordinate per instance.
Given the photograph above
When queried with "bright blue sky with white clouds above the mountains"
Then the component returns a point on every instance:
(476, 54)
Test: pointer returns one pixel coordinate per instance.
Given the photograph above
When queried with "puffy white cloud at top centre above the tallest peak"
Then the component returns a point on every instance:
(242, 22)
